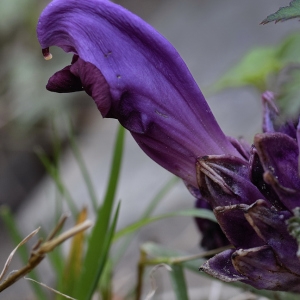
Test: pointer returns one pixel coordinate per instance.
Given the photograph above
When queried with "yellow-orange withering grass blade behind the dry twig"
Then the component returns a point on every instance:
(73, 265)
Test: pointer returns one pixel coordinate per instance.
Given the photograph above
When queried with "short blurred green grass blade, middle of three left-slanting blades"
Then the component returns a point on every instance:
(54, 173)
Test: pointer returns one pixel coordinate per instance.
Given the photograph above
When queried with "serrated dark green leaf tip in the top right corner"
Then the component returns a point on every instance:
(284, 13)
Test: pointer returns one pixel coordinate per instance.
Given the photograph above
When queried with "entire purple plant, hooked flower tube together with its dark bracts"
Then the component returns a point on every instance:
(136, 76)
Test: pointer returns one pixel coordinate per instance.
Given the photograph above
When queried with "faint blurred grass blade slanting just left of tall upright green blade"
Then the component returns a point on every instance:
(83, 169)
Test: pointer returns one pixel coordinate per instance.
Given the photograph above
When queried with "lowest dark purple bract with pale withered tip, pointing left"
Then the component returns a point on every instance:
(256, 266)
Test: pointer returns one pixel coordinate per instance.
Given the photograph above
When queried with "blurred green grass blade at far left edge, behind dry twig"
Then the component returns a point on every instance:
(15, 235)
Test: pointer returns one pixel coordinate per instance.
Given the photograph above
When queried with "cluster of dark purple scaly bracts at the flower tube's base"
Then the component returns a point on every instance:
(252, 202)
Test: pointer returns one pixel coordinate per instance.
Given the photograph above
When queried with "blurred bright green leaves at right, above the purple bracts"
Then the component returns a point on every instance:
(275, 68)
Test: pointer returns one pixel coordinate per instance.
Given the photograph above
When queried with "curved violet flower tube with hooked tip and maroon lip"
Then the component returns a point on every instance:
(136, 76)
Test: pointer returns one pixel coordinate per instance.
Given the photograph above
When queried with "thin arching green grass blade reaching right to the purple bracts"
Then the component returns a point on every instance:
(200, 213)
